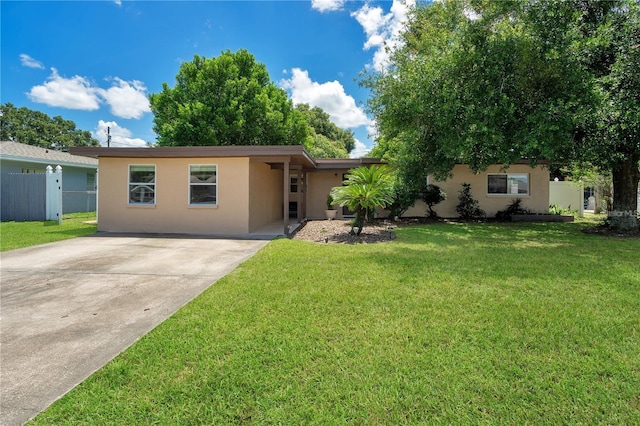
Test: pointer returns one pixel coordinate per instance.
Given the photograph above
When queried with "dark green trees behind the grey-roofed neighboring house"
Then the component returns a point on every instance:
(37, 128)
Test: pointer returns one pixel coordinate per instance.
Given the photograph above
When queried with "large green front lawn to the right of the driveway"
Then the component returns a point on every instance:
(450, 323)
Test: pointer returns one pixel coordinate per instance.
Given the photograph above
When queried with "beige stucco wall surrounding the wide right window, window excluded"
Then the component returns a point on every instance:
(537, 200)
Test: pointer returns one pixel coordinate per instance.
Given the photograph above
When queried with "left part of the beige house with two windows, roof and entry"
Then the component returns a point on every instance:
(214, 190)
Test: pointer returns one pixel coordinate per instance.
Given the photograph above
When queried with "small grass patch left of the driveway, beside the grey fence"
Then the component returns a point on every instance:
(14, 235)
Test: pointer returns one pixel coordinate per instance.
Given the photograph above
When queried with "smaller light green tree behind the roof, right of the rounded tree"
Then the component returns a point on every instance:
(325, 139)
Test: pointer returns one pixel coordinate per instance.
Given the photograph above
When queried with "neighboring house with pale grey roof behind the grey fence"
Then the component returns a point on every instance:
(79, 173)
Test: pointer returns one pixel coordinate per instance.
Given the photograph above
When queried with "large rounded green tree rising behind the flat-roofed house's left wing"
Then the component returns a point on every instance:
(228, 100)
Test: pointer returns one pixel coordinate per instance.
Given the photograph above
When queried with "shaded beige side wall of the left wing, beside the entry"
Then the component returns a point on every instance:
(266, 188)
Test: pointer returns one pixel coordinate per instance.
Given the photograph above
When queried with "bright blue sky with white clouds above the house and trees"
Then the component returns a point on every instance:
(96, 62)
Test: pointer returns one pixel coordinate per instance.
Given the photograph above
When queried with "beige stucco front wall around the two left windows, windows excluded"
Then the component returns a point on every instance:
(172, 212)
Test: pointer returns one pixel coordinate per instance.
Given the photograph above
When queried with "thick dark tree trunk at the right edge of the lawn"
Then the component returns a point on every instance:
(624, 213)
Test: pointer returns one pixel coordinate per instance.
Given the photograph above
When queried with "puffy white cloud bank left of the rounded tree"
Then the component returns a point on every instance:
(126, 99)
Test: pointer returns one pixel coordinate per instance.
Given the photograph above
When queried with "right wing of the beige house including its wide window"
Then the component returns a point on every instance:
(494, 189)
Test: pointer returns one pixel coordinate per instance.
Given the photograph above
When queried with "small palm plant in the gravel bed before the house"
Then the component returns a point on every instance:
(365, 188)
